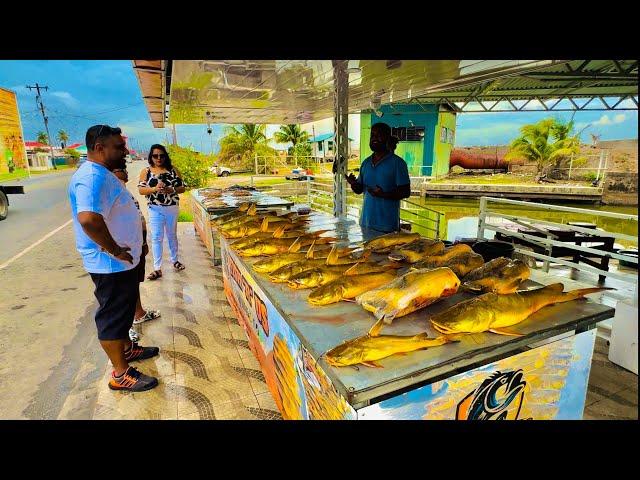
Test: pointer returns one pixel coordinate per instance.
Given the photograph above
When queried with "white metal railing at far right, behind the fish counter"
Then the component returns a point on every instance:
(550, 240)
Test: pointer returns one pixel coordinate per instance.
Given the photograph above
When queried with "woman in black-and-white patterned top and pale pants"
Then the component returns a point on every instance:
(161, 183)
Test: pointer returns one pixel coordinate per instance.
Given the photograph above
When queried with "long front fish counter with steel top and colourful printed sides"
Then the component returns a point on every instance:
(540, 375)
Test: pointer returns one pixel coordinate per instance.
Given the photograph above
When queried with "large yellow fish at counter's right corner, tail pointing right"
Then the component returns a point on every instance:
(495, 313)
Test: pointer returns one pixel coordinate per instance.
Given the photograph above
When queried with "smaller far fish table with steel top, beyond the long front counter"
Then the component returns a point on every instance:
(227, 202)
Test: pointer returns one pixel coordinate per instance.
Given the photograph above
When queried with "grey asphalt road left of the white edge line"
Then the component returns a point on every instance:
(42, 209)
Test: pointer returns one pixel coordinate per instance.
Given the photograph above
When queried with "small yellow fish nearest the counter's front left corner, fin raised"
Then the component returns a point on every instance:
(373, 346)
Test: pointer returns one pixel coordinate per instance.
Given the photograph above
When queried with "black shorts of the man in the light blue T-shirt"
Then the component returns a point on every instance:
(117, 294)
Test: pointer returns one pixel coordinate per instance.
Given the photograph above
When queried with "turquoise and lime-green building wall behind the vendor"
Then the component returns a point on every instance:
(419, 156)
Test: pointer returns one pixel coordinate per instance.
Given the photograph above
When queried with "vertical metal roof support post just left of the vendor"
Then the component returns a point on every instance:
(341, 135)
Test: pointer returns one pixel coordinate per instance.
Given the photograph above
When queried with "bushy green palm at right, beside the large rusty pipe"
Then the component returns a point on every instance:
(546, 143)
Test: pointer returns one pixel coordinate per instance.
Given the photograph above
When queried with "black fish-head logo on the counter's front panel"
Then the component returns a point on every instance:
(499, 397)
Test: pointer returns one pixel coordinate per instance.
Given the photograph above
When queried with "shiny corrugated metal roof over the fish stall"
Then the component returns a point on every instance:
(301, 91)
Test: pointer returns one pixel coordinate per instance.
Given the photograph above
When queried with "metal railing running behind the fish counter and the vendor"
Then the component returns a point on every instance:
(319, 196)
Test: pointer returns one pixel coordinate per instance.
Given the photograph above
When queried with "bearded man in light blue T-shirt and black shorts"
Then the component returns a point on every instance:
(108, 234)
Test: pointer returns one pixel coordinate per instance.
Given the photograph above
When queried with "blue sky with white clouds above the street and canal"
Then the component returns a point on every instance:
(83, 93)
